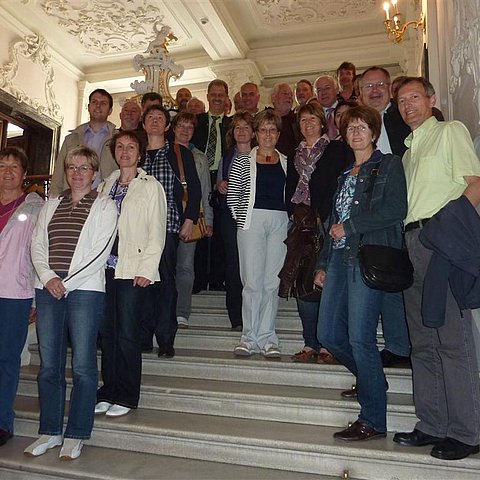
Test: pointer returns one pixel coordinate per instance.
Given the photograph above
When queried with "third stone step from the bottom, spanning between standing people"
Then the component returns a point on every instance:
(307, 405)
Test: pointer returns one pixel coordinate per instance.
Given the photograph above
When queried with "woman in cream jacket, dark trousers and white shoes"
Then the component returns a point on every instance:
(131, 266)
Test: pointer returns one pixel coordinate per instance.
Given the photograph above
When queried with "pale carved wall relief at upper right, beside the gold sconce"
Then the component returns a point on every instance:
(465, 51)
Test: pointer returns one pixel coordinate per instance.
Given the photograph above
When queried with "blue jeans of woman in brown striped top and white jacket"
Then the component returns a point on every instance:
(75, 316)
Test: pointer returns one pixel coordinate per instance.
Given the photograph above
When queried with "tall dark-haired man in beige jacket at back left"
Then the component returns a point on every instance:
(95, 134)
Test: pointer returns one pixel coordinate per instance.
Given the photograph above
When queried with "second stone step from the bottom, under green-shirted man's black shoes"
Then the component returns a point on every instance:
(258, 443)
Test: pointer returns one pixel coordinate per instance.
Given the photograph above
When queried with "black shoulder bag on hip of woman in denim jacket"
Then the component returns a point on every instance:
(384, 268)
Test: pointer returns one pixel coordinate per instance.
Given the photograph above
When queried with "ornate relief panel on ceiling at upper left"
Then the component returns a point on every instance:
(105, 26)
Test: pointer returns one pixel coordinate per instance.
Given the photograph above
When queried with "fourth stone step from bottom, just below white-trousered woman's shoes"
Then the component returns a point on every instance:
(218, 365)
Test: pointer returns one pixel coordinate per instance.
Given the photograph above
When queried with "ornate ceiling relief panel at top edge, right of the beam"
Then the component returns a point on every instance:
(288, 12)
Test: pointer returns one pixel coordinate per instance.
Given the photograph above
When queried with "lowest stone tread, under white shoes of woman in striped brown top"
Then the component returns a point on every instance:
(100, 463)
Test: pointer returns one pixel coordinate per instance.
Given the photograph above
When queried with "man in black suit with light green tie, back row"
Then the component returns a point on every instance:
(209, 254)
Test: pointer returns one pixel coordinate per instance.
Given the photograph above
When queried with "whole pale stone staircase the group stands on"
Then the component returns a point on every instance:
(208, 415)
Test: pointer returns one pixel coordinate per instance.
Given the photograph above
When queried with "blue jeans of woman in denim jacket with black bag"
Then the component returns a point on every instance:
(348, 318)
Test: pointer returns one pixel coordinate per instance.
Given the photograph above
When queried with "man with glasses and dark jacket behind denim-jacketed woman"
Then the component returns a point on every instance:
(375, 93)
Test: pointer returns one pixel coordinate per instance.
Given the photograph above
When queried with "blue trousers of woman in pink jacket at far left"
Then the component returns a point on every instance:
(13, 333)
